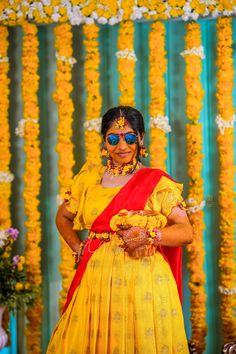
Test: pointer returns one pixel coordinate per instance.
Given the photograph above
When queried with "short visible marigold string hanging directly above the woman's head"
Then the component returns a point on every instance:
(126, 63)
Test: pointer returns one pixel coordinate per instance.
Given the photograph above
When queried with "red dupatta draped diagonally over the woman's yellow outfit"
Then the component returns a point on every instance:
(132, 196)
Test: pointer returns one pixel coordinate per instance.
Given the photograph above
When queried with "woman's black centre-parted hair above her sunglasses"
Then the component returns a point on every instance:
(132, 115)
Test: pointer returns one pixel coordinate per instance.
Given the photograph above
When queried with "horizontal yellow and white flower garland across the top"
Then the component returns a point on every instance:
(77, 12)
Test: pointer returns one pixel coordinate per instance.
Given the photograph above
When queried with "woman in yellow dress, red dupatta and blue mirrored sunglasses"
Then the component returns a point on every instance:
(124, 296)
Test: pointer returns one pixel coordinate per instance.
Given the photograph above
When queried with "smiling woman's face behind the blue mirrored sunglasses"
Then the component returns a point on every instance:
(123, 152)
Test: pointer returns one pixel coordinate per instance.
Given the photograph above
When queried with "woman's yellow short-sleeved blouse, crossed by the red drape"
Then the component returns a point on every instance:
(88, 198)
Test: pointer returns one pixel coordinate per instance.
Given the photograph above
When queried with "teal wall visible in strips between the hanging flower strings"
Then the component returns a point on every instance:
(176, 163)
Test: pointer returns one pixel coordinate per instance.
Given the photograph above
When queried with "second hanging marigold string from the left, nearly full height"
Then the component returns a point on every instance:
(32, 179)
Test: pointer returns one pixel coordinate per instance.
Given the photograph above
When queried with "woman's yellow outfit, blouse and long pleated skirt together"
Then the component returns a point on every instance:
(122, 305)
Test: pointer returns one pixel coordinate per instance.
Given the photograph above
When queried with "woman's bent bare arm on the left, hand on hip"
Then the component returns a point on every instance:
(64, 222)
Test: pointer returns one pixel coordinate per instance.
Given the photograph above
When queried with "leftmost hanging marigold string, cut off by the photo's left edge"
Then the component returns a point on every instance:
(5, 176)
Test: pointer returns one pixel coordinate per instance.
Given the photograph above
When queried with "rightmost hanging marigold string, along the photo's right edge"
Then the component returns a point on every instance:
(225, 141)
